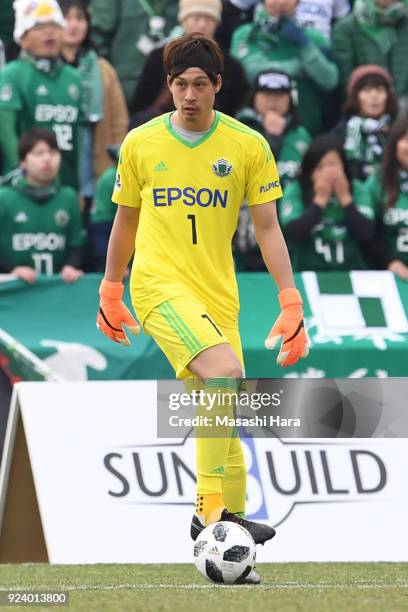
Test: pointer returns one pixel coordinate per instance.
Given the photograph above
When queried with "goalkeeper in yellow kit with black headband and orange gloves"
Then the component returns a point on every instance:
(180, 182)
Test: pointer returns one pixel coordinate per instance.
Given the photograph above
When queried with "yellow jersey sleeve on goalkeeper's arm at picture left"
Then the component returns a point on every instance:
(127, 188)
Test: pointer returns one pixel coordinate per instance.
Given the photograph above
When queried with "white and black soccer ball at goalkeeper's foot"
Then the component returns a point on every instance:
(224, 552)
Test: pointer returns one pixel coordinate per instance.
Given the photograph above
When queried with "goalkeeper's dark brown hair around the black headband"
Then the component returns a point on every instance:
(193, 50)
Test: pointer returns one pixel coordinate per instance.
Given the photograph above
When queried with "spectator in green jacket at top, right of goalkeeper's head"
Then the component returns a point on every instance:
(274, 41)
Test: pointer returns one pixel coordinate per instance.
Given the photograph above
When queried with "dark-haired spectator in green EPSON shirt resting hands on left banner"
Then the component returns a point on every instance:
(41, 228)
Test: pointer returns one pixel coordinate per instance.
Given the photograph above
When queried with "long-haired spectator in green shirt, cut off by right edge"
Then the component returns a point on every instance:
(387, 193)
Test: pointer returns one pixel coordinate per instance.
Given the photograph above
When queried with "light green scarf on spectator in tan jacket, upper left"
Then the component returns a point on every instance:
(92, 85)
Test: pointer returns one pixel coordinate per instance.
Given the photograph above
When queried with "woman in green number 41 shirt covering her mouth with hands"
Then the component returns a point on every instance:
(324, 223)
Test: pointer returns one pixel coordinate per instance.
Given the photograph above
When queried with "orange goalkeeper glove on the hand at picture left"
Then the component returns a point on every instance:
(113, 314)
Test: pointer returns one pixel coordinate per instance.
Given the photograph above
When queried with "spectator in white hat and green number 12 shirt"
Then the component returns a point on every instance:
(38, 89)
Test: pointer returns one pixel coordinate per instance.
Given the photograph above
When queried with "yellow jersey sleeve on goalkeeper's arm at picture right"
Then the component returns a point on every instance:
(263, 184)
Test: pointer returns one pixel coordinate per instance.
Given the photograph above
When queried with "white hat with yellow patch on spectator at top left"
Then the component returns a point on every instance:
(30, 13)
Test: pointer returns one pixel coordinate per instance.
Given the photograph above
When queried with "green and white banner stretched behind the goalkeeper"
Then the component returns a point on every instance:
(357, 323)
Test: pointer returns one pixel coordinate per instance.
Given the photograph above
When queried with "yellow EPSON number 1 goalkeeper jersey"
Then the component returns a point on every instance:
(190, 195)
